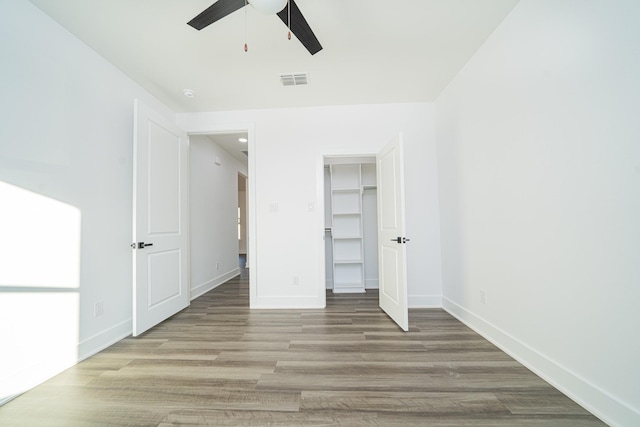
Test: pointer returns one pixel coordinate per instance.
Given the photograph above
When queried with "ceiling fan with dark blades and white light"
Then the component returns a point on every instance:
(289, 14)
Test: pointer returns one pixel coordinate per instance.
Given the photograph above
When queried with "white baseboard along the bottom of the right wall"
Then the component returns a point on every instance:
(594, 399)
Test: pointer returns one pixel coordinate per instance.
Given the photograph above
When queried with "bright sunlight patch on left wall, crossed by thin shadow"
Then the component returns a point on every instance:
(39, 288)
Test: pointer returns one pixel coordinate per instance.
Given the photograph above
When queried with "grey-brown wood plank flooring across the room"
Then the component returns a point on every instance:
(219, 363)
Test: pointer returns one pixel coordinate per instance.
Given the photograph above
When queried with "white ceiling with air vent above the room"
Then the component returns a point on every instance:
(375, 51)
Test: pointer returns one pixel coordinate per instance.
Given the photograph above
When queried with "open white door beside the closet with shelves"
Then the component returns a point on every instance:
(391, 233)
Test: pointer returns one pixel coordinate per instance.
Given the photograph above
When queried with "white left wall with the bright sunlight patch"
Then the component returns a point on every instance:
(66, 198)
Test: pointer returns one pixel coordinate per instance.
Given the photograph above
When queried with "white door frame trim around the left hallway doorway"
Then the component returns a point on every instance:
(249, 128)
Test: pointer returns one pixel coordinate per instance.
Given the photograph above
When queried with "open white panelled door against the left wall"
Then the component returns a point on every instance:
(160, 233)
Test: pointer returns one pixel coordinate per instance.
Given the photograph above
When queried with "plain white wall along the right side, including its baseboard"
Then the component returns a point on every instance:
(539, 170)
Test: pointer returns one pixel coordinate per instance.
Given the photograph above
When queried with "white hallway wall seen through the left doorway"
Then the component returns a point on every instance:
(213, 214)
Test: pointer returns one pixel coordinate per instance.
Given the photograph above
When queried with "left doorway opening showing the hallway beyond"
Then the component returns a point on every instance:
(218, 207)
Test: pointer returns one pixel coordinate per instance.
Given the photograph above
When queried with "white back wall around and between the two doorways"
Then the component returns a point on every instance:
(287, 170)
